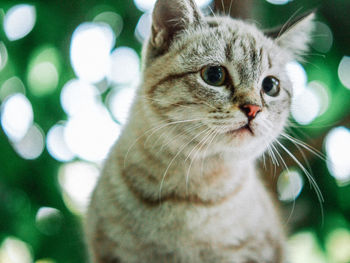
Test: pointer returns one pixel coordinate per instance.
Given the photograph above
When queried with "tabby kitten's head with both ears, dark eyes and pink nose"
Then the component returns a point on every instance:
(220, 77)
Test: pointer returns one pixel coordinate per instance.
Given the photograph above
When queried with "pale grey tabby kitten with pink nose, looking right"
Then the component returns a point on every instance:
(181, 184)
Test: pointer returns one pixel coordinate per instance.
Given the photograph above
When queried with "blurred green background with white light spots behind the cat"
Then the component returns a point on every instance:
(68, 71)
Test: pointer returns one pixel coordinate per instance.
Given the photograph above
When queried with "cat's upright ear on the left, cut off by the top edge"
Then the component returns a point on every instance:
(171, 17)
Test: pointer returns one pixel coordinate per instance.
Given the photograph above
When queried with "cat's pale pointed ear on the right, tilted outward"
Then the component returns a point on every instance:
(295, 35)
